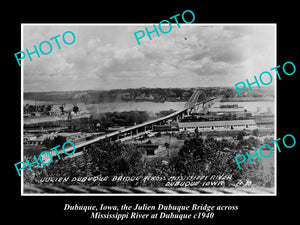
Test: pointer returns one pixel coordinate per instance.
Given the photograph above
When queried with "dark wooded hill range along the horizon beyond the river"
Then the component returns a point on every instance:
(142, 94)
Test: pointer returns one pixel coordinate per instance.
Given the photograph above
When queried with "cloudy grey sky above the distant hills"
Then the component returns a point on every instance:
(108, 56)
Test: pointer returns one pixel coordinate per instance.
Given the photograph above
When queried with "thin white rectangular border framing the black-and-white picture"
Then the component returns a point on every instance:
(146, 24)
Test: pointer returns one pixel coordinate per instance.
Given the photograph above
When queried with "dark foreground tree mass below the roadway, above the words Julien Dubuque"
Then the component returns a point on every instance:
(104, 158)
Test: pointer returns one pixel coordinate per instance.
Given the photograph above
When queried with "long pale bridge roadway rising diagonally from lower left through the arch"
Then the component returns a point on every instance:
(133, 128)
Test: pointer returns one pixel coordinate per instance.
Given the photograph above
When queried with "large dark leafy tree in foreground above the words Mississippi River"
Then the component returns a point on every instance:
(199, 157)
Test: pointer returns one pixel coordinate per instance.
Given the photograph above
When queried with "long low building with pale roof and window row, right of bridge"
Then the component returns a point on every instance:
(223, 125)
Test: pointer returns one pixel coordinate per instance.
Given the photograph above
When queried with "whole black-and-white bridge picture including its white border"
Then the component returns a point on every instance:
(131, 109)
